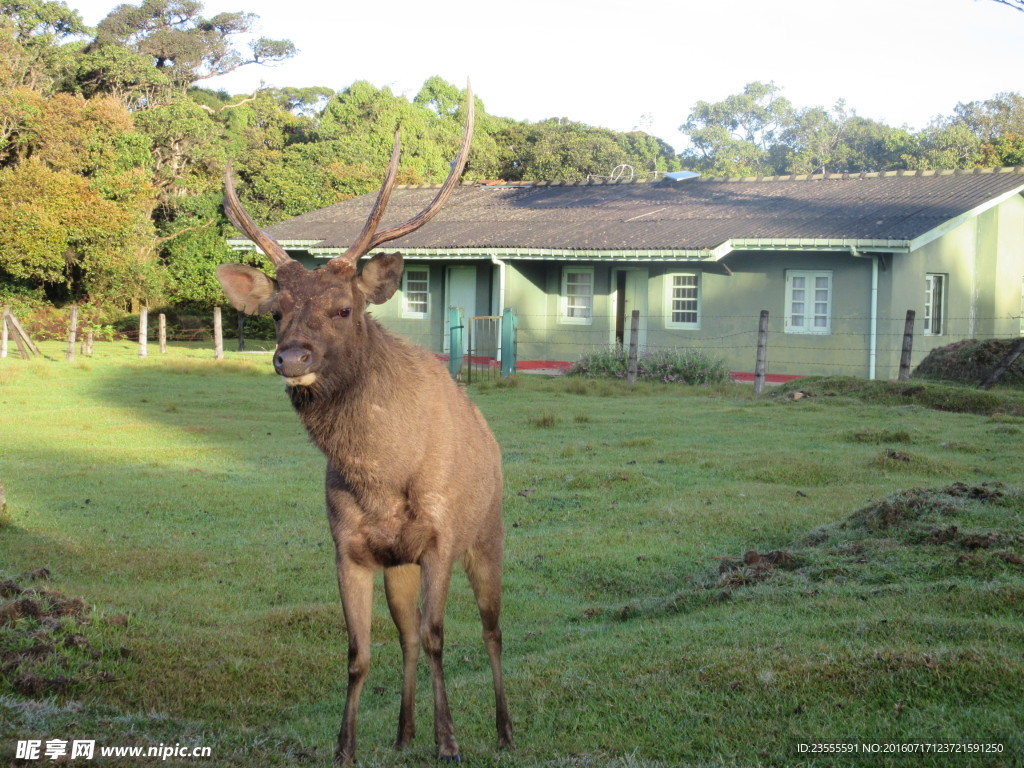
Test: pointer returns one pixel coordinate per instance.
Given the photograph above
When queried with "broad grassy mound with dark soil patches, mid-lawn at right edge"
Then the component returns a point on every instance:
(962, 533)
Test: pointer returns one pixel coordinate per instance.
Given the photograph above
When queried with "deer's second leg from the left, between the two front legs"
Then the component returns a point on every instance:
(402, 584)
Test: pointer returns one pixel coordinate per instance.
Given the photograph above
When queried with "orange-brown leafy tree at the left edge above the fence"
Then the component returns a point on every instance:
(75, 181)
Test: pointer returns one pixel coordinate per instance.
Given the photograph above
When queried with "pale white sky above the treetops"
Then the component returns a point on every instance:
(644, 65)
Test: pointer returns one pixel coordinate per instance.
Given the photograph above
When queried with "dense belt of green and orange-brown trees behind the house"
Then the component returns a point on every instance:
(112, 156)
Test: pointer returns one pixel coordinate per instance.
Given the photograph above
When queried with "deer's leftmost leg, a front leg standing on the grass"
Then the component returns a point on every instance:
(357, 585)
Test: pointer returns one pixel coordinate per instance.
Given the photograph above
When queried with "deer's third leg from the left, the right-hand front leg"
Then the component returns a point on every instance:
(437, 577)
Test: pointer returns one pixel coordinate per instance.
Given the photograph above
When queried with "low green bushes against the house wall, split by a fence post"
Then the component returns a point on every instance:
(668, 366)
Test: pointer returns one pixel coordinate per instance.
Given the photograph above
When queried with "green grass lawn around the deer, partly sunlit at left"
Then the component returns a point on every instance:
(694, 577)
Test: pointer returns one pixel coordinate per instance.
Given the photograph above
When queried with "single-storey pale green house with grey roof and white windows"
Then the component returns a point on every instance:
(837, 261)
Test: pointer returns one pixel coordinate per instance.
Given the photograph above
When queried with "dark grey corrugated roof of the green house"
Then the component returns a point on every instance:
(696, 215)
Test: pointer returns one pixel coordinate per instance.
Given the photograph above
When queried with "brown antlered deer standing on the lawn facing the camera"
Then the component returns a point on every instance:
(414, 479)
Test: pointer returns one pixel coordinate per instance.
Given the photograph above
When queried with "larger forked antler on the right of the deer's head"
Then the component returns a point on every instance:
(369, 238)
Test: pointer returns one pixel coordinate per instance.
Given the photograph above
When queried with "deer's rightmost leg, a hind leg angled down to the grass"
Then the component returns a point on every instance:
(485, 571)
